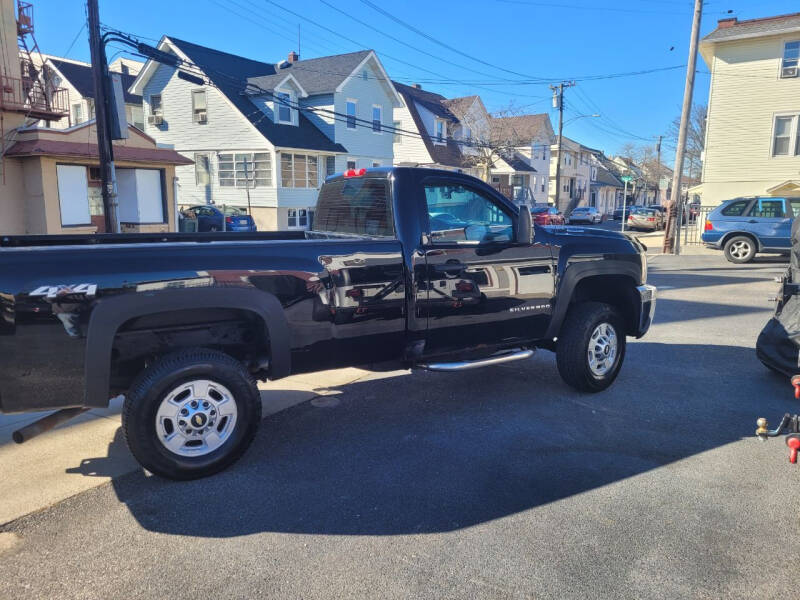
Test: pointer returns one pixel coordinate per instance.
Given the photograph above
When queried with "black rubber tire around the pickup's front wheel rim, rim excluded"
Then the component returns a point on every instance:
(573, 344)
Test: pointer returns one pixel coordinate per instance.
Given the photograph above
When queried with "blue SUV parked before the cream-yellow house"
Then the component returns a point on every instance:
(743, 227)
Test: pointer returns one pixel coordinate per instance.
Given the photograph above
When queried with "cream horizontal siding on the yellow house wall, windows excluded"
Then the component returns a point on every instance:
(746, 93)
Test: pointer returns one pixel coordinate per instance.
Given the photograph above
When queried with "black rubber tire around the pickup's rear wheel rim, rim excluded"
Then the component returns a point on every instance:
(151, 386)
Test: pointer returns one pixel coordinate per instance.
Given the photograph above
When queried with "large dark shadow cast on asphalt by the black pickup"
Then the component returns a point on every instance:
(436, 452)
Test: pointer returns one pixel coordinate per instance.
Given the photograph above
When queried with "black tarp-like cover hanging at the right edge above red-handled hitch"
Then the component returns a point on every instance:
(778, 343)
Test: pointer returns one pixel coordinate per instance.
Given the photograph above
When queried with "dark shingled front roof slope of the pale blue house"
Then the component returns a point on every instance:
(229, 73)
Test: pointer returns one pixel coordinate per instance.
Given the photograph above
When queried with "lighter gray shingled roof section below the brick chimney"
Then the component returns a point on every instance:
(315, 75)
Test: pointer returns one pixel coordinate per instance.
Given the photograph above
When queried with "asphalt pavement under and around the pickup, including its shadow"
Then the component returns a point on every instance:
(501, 482)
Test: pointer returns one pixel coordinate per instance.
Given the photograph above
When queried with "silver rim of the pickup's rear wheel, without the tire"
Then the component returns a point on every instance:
(196, 418)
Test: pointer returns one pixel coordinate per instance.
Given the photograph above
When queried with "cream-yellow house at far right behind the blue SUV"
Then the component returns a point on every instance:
(752, 144)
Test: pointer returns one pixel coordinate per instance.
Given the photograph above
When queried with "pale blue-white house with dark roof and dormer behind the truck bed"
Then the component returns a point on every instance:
(273, 130)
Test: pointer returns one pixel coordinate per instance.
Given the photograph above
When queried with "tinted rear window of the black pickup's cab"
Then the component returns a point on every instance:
(357, 206)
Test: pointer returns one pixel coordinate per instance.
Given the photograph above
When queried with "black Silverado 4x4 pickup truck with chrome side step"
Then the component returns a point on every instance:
(431, 269)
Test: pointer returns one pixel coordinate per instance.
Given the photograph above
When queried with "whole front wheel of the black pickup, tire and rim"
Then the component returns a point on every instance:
(591, 346)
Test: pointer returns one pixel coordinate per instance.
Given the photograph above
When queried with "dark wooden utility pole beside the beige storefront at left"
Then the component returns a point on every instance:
(102, 93)
